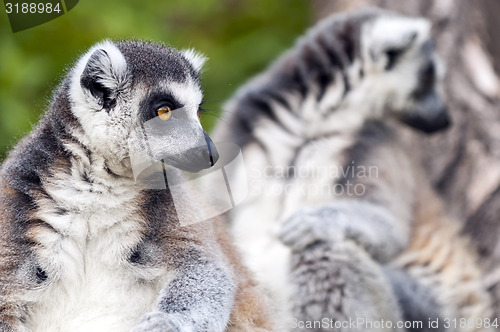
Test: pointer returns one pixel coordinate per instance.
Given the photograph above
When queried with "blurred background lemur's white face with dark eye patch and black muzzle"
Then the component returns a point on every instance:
(400, 63)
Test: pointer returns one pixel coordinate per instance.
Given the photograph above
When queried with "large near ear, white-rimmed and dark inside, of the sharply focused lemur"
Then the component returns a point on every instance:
(104, 74)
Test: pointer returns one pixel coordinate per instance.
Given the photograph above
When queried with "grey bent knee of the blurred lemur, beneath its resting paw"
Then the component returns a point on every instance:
(339, 285)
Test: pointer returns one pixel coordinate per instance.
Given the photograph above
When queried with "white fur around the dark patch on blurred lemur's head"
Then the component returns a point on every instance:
(382, 90)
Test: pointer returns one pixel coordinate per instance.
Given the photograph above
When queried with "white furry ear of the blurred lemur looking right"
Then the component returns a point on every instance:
(389, 37)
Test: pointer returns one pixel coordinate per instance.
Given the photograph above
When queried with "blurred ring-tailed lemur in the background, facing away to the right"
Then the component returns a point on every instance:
(308, 126)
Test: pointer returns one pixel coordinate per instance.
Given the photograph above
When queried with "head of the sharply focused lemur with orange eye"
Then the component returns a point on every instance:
(118, 88)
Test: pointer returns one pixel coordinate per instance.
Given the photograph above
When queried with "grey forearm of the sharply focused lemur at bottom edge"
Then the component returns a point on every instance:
(199, 298)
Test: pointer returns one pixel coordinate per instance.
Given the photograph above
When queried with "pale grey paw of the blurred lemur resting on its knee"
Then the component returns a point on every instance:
(309, 225)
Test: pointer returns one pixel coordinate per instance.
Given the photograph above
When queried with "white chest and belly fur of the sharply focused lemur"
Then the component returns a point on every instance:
(93, 282)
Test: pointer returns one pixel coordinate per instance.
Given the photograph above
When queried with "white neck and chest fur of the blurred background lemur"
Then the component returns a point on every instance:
(272, 200)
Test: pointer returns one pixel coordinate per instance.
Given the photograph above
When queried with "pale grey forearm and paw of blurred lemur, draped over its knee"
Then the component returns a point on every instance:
(370, 226)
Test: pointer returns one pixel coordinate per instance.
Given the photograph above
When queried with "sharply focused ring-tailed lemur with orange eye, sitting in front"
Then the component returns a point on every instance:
(85, 248)
